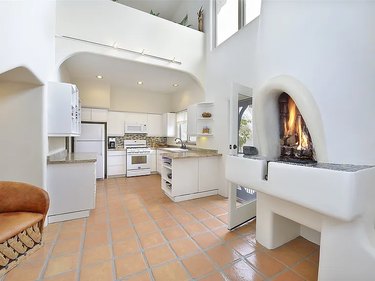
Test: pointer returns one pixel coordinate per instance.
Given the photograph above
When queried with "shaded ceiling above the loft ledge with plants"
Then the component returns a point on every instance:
(166, 8)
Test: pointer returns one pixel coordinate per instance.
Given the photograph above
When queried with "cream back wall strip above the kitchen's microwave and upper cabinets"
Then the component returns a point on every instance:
(139, 101)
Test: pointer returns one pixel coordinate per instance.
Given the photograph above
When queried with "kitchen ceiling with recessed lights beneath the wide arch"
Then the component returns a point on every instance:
(126, 73)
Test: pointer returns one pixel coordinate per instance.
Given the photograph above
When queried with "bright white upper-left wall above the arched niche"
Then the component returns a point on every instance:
(27, 36)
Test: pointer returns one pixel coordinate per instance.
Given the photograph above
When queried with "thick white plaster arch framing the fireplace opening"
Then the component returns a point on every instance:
(266, 115)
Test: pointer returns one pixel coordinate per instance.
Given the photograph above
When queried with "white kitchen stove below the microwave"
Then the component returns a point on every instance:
(137, 158)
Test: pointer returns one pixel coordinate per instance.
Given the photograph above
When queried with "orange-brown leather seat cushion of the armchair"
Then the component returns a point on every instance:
(13, 223)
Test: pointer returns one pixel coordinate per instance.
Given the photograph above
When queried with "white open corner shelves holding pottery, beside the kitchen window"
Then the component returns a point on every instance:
(200, 119)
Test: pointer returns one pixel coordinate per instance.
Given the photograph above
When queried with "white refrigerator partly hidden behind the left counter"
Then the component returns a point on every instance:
(92, 140)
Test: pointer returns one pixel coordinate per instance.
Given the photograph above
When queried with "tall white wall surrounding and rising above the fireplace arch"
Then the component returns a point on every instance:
(327, 46)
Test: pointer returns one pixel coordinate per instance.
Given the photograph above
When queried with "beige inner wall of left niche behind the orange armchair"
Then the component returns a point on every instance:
(21, 140)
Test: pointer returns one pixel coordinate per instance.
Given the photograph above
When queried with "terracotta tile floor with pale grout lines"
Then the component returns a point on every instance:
(137, 233)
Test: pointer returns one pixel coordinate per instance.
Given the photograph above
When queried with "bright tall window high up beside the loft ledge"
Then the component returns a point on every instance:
(232, 15)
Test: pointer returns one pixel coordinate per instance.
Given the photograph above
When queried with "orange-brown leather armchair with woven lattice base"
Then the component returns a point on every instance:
(23, 209)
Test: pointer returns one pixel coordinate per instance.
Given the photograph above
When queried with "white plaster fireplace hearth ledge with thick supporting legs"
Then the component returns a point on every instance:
(336, 200)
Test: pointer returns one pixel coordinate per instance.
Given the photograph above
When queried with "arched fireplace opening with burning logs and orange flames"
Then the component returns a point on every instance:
(295, 140)
